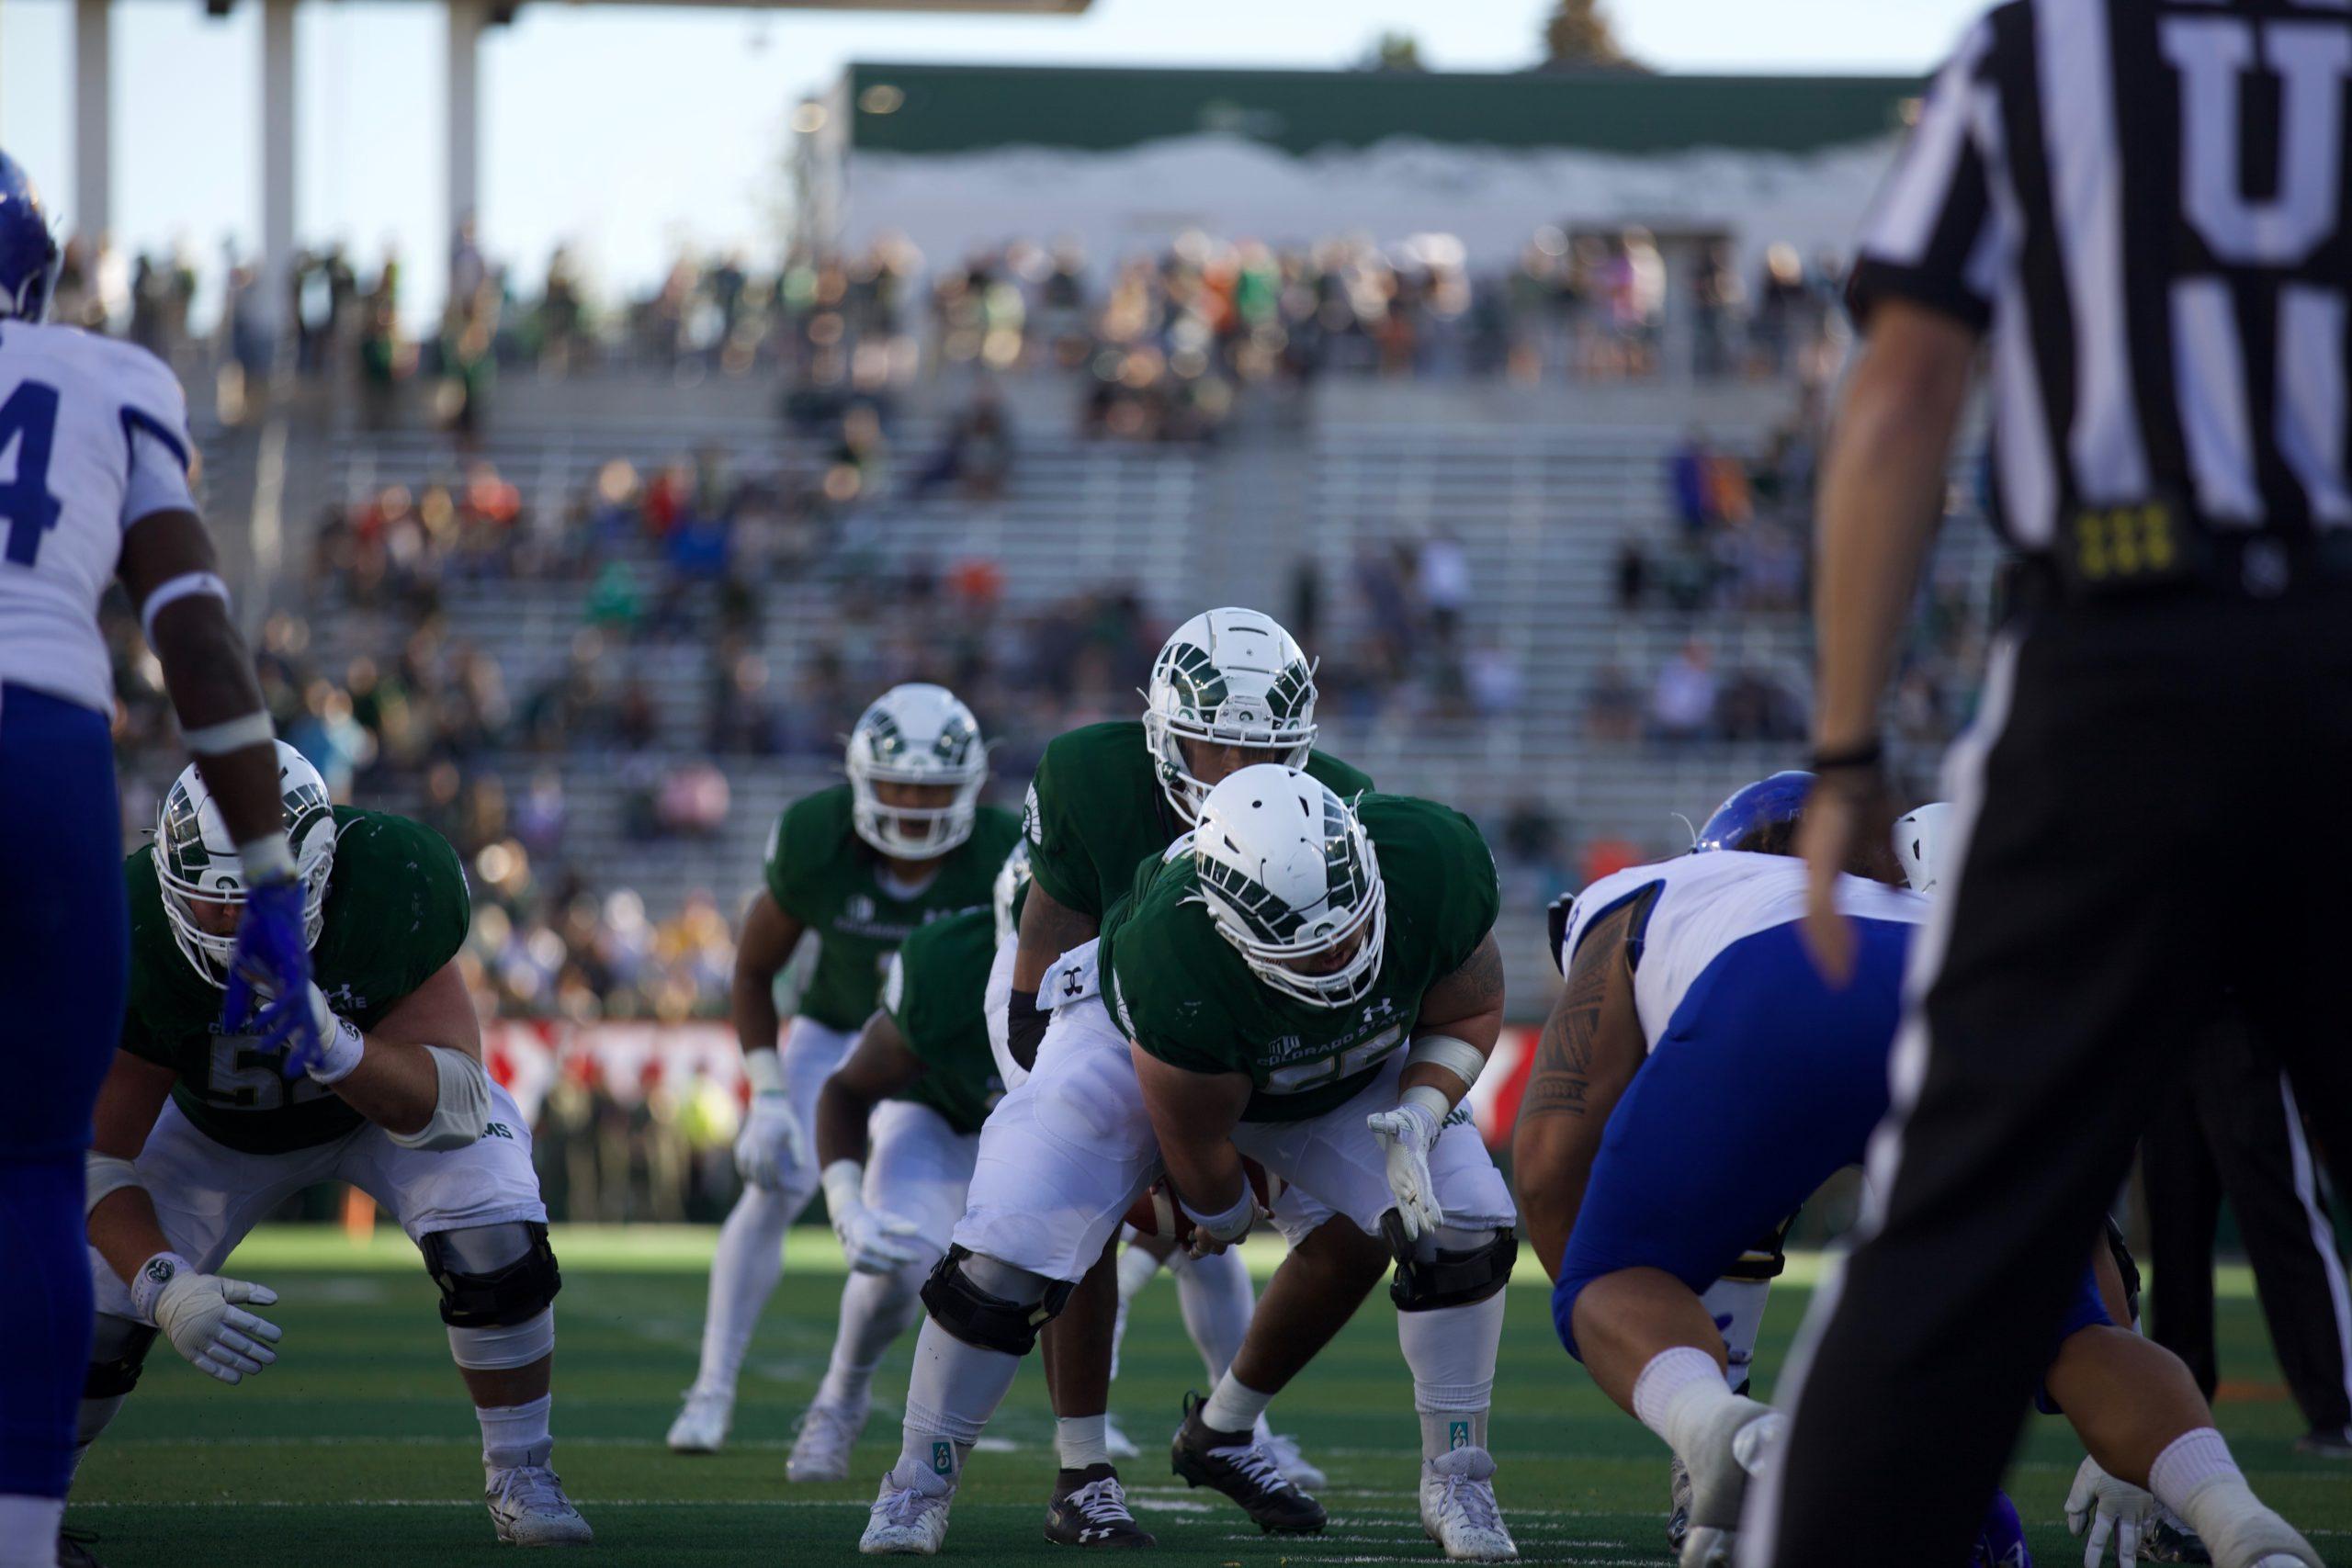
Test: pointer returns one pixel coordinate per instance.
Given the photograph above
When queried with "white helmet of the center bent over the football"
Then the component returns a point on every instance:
(1288, 876)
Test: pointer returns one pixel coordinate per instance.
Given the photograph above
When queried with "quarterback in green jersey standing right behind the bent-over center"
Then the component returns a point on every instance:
(1229, 688)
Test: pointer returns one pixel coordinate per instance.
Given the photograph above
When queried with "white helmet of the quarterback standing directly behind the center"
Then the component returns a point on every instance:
(1229, 678)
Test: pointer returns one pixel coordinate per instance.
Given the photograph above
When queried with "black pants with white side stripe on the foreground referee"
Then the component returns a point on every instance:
(2149, 812)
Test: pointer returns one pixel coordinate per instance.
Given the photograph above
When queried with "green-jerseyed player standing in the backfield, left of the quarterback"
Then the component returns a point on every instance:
(857, 869)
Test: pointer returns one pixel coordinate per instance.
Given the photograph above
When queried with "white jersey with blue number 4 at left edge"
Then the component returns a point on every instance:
(93, 438)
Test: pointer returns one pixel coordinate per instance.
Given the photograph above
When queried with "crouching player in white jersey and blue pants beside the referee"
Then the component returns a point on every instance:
(1695, 1085)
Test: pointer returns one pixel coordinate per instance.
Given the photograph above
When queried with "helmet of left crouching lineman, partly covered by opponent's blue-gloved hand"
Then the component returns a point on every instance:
(196, 862)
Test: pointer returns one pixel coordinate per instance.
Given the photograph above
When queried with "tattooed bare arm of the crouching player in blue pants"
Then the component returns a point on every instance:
(1589, 1052)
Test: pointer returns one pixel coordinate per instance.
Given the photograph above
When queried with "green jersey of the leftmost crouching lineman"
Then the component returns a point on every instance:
(396, 913)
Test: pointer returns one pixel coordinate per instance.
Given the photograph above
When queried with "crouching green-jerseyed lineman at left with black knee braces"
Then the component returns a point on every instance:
(206, 1130)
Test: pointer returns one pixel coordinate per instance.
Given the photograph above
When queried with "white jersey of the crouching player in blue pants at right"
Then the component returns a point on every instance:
(1706, 904)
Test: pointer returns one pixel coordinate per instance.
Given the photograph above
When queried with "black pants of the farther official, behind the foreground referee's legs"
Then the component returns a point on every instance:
(2233, 1130)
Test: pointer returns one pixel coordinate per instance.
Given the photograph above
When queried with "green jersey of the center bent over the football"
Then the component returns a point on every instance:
(1187, 996)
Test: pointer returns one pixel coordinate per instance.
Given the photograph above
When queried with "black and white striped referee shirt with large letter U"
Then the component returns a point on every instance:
(2144, 201)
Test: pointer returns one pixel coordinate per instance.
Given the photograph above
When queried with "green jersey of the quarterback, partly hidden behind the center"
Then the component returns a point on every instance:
(1097, 808)
